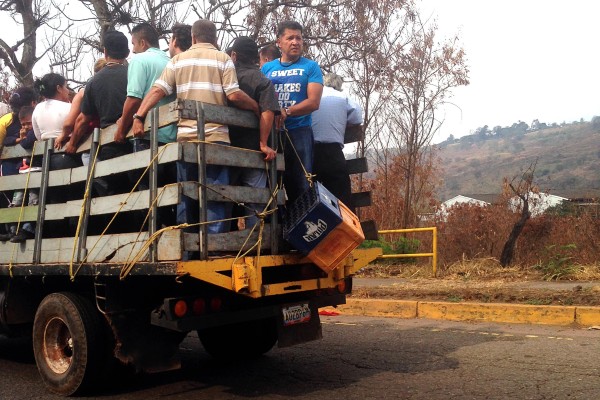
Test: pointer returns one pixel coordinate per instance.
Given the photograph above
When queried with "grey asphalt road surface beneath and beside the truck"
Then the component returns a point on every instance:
(367, 358)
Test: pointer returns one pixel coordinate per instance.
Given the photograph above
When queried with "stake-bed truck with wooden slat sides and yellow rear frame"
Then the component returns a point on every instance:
(113, 294)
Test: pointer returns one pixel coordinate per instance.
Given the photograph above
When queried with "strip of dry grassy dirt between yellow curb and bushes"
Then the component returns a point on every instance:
(483, 282)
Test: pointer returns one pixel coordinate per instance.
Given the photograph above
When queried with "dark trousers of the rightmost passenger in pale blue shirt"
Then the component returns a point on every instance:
(331, 170)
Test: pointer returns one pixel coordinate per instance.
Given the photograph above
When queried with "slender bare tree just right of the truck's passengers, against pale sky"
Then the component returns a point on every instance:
(425, 74)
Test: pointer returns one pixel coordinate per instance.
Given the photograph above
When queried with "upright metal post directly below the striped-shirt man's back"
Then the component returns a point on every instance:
(201, 158)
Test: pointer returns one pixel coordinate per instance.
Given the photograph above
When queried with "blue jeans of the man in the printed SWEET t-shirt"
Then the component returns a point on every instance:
(293, 178)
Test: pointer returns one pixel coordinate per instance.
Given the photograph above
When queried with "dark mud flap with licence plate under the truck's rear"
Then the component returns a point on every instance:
(298, 323)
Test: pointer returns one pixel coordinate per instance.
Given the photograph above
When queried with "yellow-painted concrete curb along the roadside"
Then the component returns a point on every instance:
(478, 312)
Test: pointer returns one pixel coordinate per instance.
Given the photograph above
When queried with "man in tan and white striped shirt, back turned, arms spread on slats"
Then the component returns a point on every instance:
(202, 73)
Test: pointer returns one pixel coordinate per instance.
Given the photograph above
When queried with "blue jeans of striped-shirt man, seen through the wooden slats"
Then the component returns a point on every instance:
(187, 209)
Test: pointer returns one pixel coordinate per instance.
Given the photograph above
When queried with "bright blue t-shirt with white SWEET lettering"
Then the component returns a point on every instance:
(291, 84)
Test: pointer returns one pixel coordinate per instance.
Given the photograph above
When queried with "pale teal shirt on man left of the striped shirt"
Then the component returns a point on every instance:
(144, 69)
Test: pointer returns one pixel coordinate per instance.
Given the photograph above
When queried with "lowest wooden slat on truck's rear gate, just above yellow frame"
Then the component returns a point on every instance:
(231, 241)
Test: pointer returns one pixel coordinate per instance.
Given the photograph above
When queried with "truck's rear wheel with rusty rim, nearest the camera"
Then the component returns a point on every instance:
(68, 342)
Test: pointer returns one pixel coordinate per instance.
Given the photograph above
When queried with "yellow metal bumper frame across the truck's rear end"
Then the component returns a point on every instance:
(246, 272)
